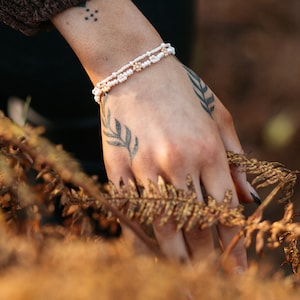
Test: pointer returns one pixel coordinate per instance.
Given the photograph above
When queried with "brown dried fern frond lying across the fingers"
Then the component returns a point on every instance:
(165, 201)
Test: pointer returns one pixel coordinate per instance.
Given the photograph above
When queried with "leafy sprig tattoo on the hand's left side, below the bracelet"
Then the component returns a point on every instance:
(117, 134)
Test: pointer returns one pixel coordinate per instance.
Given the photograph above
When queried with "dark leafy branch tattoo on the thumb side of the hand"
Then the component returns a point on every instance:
(205, 96)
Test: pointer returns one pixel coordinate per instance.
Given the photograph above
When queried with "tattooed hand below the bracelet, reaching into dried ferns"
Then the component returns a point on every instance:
(166, 122)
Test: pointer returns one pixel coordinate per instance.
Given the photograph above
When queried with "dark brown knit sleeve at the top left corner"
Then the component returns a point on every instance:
(31, 16)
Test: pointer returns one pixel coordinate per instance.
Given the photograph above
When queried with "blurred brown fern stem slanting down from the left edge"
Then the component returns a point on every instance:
(45, 155)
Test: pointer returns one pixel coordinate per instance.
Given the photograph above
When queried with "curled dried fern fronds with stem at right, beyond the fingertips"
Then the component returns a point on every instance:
(279, 232)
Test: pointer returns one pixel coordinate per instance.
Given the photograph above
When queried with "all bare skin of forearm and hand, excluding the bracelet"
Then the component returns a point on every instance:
(162, 121)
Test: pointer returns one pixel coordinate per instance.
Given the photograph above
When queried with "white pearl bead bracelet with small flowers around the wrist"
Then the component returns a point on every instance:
(135, 66)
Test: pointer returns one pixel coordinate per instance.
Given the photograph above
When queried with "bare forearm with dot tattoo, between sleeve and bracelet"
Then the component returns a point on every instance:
(116, 34)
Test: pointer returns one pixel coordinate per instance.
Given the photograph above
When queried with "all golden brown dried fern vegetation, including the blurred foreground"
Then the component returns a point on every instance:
(40, 182)
